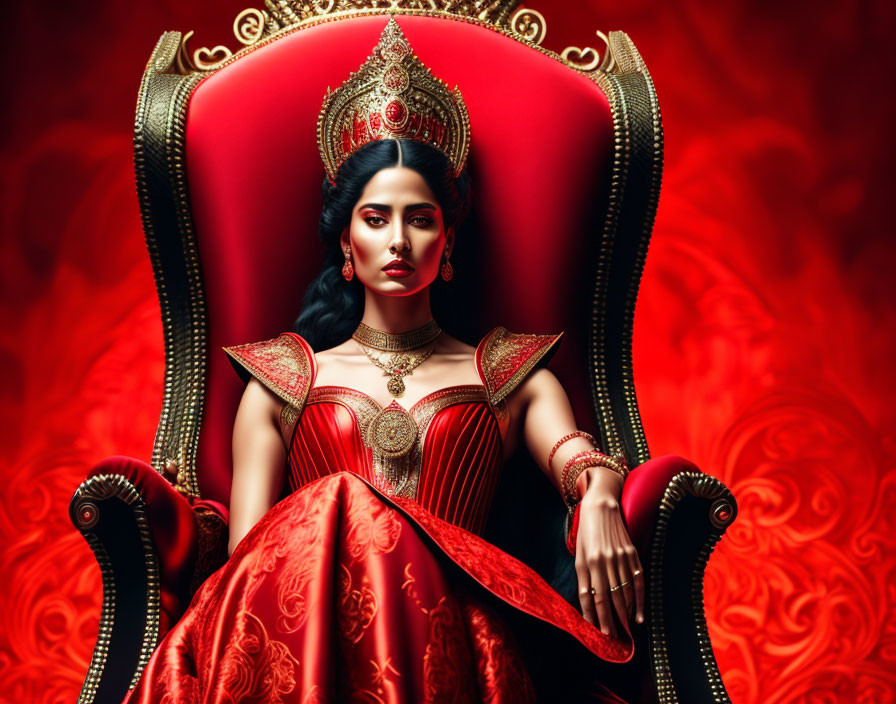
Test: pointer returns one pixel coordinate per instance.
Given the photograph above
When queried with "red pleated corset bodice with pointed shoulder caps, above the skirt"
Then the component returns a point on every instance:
(445, 452)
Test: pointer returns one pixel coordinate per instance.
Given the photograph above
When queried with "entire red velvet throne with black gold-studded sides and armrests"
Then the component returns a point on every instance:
(566, 163)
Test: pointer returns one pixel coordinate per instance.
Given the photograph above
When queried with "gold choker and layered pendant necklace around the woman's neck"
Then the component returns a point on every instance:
(397, 366)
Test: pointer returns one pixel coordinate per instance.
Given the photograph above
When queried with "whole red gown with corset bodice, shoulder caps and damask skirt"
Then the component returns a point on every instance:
(369, 582)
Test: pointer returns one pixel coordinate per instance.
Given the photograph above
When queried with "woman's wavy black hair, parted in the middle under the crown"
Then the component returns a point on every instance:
(332, 307)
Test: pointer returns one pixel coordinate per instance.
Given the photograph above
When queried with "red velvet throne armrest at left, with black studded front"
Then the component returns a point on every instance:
(154, 547)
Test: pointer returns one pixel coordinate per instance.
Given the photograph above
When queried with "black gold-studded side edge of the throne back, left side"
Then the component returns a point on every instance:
(159, 134)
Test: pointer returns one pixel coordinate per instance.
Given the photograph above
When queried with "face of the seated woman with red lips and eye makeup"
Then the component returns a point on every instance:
(397, 234)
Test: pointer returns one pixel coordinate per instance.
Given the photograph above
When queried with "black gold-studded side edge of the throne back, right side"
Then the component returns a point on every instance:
(634, 193)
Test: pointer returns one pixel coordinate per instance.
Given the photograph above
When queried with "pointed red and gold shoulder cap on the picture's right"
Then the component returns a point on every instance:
(504, 359)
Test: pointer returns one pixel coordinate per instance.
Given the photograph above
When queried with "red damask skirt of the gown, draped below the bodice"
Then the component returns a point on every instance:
(343, 594)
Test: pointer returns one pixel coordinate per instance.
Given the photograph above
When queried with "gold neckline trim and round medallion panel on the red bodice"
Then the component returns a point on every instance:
(396, 448)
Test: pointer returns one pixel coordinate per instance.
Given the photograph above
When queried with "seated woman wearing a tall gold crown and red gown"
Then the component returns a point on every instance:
(369, 582)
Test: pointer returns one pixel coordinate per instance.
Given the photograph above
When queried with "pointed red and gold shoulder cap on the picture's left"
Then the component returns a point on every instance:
(285, 365)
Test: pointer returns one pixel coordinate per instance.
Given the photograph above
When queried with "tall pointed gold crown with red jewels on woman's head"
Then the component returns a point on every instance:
(392, 96)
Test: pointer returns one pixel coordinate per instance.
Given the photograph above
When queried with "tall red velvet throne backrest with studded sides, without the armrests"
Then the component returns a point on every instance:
(565, 174)
